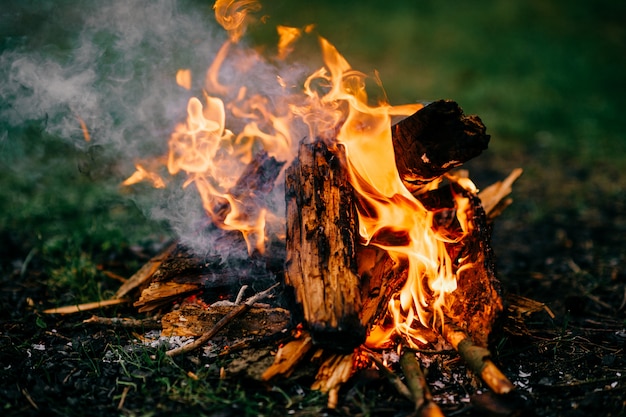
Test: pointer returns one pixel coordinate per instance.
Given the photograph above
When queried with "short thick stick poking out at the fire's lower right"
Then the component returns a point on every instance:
(477, 358)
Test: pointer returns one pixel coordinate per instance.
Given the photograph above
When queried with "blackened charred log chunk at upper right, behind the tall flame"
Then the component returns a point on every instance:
(436, 139)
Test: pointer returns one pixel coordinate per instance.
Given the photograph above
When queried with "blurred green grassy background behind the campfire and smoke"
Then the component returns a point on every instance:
(546, 77)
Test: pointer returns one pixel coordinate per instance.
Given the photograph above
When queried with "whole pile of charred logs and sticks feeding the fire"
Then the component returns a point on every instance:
(338, 287)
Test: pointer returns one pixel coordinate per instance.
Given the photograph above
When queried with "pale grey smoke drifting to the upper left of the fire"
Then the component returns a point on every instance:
(112, 64)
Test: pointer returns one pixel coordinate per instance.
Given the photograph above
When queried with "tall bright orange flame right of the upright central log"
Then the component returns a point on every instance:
(386, 207)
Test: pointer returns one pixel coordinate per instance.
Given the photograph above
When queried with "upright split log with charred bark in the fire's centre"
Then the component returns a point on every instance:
(321, 238)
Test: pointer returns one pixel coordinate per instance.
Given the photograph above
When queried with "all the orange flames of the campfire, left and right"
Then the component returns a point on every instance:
(335, 107)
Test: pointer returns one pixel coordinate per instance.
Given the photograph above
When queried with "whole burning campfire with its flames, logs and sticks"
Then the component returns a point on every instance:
(382, 244)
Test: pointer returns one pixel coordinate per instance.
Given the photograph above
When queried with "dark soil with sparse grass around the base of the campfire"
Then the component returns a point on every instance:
(572, 364)
